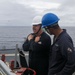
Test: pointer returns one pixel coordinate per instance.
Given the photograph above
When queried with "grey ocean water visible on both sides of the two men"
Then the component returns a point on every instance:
(12, 35)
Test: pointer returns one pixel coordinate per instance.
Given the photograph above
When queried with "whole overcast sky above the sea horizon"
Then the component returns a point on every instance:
(21, 12)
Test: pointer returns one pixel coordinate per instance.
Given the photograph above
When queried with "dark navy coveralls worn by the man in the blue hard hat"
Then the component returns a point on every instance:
(62, 57)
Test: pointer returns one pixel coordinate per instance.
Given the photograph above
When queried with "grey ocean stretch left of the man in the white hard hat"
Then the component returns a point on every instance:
(12, 35)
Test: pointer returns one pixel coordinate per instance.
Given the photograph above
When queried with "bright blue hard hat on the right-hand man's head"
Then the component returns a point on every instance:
(49, 19)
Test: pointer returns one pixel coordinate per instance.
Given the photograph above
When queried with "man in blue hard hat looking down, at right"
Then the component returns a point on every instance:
(62, 59)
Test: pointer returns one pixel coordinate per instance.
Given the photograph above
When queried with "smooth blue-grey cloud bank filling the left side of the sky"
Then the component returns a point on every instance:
(14, 14)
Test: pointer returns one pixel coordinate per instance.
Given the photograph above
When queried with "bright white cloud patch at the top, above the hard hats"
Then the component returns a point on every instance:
(39, 5)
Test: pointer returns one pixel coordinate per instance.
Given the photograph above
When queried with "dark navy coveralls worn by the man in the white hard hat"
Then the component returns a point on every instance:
(38, 53)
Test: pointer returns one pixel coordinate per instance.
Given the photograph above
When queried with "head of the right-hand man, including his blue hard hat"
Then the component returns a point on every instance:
(49, 21)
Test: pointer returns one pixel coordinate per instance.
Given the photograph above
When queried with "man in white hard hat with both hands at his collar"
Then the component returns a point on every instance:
(38, 44)
